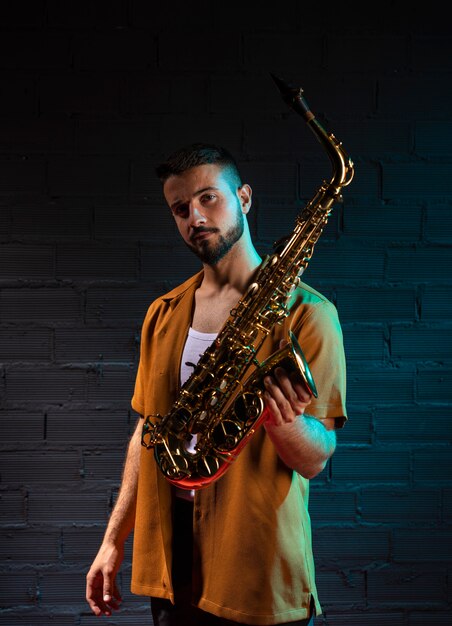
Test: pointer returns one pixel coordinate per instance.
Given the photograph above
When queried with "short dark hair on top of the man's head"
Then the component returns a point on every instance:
(198, 154)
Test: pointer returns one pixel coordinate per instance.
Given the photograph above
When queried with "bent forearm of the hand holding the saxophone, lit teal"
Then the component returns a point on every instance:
(305, 445)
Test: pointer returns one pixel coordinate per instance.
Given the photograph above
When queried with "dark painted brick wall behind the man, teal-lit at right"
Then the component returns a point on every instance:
(93, 94)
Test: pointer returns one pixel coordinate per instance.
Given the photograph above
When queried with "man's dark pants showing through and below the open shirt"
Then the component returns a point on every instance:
(183, 613)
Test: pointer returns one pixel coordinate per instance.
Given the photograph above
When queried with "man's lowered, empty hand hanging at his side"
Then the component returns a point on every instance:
(102, 593)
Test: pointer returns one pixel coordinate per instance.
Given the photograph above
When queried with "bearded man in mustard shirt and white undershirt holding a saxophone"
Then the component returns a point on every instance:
(238, 550)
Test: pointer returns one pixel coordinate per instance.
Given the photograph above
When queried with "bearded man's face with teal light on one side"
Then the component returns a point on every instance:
(207, 209)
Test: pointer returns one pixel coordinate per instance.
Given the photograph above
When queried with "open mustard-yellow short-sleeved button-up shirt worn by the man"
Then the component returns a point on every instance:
(254, 560)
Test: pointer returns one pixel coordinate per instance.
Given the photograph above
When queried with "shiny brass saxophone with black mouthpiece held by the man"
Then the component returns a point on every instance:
(222, 401)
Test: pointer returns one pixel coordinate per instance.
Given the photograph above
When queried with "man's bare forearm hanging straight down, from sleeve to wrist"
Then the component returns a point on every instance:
(122, 518)
